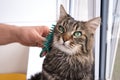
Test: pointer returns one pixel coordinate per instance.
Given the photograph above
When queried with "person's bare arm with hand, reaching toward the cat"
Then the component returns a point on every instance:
(28, 36)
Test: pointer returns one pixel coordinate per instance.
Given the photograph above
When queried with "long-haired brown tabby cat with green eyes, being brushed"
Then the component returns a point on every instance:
(71, 55)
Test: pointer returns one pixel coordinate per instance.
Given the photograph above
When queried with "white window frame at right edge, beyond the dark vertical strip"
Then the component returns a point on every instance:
(112, 40)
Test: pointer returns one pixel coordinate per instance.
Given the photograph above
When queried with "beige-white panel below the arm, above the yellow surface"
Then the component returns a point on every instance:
(13, 58)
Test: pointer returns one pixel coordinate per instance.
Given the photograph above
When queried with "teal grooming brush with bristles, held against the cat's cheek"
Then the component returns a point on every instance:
(47, 44)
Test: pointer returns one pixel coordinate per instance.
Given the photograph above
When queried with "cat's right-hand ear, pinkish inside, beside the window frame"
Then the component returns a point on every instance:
(93, 23)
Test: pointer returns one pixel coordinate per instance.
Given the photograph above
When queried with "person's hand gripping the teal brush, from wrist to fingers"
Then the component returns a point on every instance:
(32, 36)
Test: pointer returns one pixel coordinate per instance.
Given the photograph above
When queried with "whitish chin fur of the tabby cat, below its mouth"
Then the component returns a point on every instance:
(66, 49)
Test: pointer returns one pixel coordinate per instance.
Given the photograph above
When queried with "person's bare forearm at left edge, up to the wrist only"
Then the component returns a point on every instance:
(8, 34)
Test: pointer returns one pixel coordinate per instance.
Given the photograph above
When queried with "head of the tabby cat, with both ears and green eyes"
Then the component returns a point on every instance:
(72, 36)
